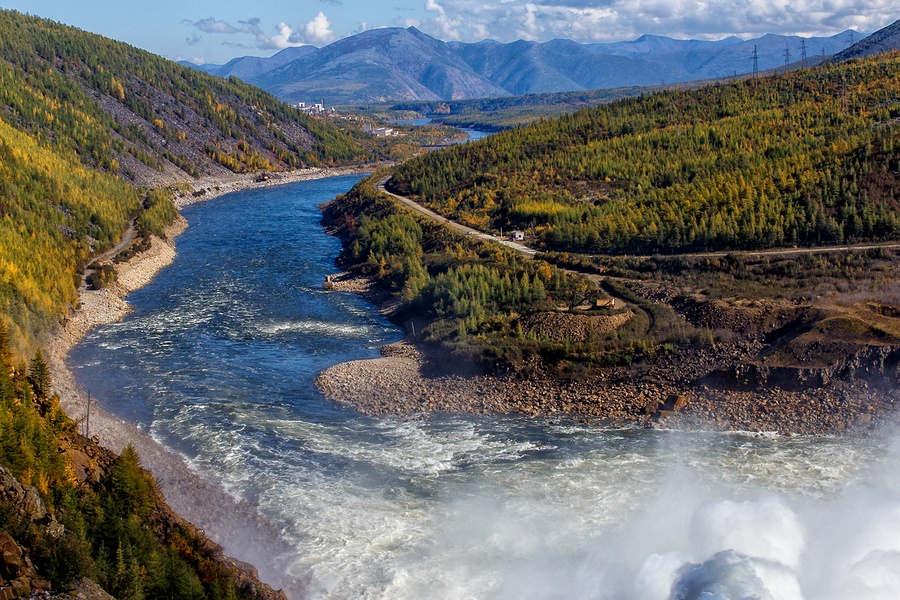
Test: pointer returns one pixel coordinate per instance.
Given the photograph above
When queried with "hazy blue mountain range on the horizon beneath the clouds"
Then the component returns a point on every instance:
(395, 64)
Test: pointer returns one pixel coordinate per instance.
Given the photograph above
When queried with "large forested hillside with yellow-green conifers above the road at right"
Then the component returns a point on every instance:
(805, 158)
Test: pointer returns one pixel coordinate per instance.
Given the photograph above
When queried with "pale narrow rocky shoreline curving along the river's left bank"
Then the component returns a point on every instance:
(234, 525)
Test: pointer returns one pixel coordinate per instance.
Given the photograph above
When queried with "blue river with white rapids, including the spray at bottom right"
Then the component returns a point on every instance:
(217, 362)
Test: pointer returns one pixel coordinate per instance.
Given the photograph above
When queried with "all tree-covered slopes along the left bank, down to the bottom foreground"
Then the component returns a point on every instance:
(91, 133)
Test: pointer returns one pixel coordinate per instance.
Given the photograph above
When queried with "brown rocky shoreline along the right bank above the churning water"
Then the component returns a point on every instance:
(668, 391)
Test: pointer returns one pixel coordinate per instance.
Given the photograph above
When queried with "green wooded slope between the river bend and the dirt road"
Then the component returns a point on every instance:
(468, 291)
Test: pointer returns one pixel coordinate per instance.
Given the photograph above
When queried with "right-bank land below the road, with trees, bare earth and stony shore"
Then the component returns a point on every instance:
(794, 341)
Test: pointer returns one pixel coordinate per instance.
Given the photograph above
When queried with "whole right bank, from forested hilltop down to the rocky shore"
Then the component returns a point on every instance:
(655, 292)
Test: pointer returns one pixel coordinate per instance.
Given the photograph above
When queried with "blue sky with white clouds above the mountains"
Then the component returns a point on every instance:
(206, 31)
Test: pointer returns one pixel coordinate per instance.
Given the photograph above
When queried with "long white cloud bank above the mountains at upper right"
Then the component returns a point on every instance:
(608, 20)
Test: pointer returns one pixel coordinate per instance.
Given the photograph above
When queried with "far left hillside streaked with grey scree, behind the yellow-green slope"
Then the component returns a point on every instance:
(144, 118)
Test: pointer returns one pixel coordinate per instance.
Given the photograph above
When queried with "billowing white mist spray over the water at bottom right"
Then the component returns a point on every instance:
(698, 541)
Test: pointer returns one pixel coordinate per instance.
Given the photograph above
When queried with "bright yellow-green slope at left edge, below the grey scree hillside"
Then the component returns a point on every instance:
(55, 213)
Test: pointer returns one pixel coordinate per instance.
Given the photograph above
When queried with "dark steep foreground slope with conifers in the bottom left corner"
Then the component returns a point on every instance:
(71, 509)
